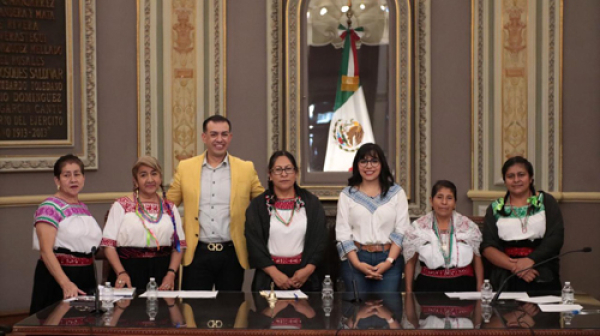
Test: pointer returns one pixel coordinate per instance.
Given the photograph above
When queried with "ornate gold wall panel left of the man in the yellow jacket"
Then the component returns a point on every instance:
(181, 76)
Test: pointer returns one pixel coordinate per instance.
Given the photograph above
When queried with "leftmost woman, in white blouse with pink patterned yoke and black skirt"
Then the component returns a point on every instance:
(65, 234)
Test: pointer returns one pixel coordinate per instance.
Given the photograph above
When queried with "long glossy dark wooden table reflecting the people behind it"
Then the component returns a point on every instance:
(250, 314)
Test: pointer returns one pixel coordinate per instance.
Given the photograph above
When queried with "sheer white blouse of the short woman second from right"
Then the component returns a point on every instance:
(421, 238)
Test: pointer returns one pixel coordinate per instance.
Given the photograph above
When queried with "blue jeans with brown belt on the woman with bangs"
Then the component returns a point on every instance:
(390, 283)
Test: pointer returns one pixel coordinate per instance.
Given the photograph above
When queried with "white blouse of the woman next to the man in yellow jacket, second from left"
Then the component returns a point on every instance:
(125, 228)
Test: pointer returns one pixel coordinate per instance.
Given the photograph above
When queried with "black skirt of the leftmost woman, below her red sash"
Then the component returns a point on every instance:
(47, 291)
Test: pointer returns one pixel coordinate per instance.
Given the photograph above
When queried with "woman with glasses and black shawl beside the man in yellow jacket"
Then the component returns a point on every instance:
(286, 235)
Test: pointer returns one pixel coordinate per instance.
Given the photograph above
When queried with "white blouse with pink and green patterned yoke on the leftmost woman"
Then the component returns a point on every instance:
(77, 230)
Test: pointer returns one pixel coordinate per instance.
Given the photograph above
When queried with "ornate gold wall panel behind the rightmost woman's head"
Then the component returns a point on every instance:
(516, 90)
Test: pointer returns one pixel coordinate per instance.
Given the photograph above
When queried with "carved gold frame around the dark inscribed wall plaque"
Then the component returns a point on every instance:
(89, 131)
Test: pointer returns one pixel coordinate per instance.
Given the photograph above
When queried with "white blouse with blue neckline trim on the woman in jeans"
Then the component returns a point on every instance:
(370, 220)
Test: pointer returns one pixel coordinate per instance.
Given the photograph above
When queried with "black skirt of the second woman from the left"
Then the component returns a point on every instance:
(140, 270)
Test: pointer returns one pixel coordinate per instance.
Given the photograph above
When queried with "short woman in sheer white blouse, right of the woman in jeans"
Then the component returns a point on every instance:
(442, 247)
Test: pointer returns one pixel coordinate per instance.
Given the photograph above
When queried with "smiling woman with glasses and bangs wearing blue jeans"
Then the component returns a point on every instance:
(372, 216)
